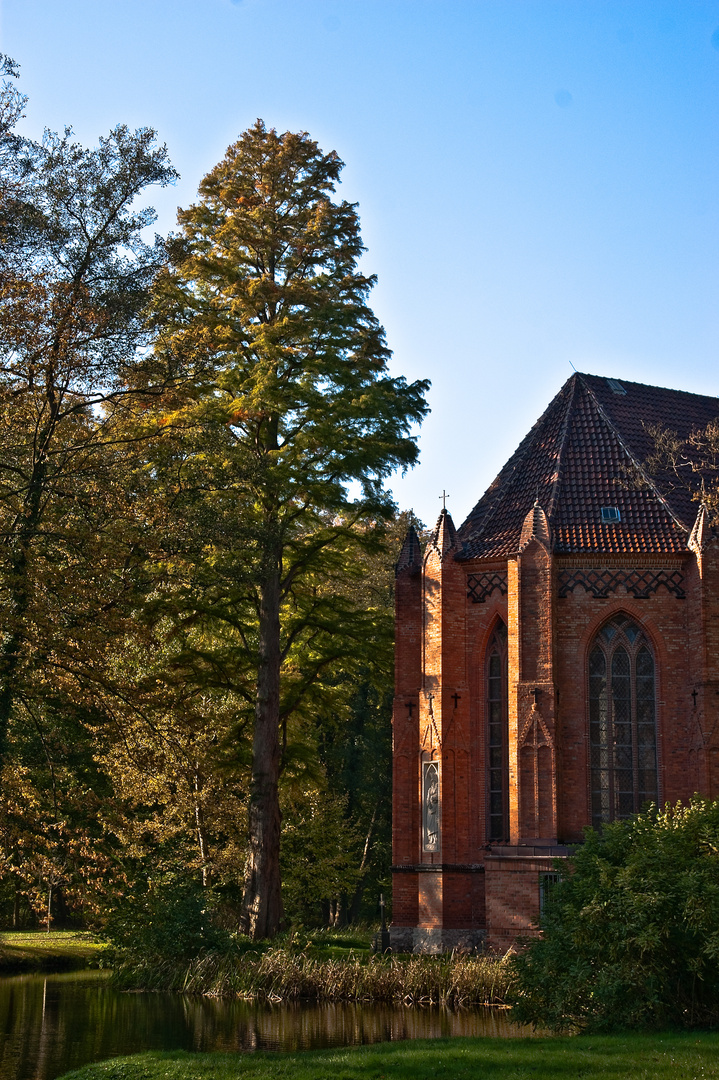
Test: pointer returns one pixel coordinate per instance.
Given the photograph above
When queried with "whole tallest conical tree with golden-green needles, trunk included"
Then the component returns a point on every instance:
(296, 411)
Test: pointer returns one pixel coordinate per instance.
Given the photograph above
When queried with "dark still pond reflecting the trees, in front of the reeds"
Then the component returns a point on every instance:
(50, 1024)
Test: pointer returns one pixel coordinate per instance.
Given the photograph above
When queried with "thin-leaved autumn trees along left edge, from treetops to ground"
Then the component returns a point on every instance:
(75, 274)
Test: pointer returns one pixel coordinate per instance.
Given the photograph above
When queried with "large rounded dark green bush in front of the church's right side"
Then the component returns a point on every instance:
(631, 934)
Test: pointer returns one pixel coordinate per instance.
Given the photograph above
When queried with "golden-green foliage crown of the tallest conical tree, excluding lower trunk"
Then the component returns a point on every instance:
(287, 403)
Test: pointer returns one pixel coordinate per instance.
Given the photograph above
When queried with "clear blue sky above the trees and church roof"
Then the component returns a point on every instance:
(537, 180)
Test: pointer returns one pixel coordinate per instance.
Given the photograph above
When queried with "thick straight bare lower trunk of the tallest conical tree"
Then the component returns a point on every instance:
(263, 902)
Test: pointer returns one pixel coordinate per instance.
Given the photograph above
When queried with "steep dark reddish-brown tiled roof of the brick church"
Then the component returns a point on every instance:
(584, 462)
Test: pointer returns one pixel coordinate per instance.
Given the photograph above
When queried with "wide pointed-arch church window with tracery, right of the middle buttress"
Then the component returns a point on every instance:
(622, 722)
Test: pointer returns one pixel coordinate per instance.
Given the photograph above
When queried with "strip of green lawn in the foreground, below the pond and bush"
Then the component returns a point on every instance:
(684, 1057)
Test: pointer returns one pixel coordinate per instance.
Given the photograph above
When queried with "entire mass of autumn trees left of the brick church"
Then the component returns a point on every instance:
(196, 536)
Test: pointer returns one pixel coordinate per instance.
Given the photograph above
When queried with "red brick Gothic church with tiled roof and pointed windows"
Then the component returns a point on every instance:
(558, 664)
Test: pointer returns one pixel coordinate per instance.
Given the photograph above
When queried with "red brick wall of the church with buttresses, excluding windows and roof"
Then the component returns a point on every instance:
(442, 641)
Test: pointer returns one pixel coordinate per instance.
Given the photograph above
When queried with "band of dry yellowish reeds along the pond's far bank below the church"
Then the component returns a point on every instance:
(279, 975)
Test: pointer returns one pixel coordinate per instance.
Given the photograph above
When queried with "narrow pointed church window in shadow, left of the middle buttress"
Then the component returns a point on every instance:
(498, 772)
